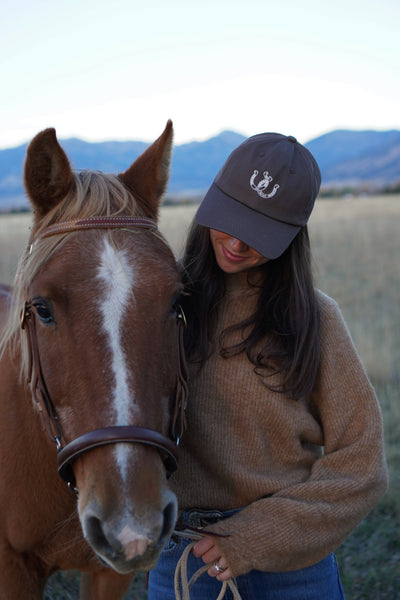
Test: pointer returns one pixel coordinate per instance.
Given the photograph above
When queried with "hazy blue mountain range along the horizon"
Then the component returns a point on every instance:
(359, 160)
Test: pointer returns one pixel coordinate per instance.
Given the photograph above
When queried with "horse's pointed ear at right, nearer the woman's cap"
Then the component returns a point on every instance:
(147, 177)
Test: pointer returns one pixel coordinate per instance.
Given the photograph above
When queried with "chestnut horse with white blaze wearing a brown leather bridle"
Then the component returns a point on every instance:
(92, 378)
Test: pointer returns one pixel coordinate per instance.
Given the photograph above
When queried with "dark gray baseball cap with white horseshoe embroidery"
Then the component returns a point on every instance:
(264, 193)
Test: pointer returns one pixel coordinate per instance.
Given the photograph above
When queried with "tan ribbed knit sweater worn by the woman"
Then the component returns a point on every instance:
(305, 473)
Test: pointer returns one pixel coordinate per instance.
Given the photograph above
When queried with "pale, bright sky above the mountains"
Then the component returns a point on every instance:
(118, 70)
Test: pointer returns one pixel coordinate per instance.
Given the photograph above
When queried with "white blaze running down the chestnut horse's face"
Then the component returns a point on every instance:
(117, 290)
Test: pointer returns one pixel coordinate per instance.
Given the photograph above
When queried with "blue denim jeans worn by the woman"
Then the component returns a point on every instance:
(318, 582)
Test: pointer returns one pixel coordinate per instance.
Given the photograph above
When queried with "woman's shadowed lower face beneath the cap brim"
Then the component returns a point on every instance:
(233, 255)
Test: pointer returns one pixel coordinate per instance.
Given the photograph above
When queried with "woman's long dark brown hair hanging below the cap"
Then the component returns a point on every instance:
(284, 330)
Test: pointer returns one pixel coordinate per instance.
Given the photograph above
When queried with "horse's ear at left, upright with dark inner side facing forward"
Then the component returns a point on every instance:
(48, 174)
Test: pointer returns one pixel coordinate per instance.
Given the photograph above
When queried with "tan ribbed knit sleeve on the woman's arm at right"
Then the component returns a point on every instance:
(301, 524)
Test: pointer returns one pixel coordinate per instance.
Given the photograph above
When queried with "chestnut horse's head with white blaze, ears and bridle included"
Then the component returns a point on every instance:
(103, 344)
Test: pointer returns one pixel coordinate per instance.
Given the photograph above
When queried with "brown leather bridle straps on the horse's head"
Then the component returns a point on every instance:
(67, 453)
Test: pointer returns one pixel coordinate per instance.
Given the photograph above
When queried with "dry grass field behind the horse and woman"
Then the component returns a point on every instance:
(356, 247)
